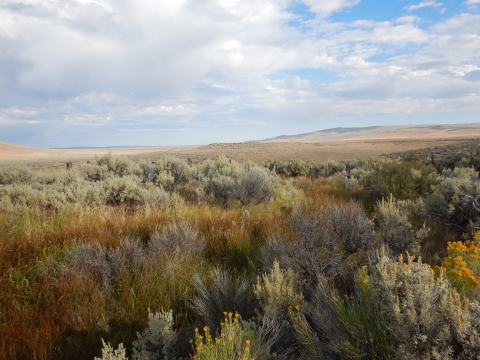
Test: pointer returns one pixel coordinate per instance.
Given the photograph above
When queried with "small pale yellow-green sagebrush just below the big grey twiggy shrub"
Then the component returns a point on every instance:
(279, 289)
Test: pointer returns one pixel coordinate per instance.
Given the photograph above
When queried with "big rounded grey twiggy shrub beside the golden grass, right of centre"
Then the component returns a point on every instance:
(333, 241)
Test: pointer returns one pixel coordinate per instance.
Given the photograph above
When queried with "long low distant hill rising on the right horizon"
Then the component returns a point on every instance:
(383, 132)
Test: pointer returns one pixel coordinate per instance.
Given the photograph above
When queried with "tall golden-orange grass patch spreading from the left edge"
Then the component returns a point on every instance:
(44, 314)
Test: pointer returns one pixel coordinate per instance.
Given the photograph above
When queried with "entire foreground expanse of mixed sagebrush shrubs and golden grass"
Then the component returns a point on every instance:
(375, 258)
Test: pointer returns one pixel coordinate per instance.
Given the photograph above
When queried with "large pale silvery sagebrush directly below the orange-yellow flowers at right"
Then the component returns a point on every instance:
(423, 312)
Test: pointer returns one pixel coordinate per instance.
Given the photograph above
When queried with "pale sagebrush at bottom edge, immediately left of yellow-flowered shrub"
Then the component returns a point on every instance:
(156, 342)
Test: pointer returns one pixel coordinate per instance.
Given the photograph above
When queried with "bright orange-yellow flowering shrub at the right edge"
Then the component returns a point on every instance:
(462, 266)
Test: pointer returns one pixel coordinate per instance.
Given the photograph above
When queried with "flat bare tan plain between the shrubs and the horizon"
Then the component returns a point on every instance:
(383, 142)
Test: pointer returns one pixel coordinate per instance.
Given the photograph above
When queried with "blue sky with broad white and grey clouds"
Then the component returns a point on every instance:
(191, 72)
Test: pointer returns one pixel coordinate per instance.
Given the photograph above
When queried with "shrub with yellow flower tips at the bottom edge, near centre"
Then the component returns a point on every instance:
(236, 340)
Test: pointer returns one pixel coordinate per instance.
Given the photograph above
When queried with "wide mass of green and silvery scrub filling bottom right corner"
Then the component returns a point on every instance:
(403, 310)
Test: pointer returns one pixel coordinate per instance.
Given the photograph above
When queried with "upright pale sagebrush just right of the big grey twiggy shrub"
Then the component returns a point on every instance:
(394, 229)
